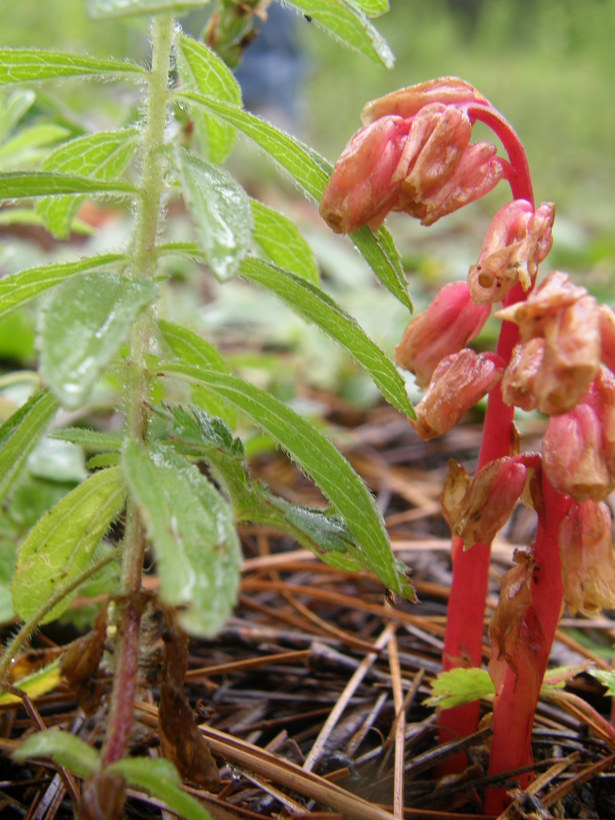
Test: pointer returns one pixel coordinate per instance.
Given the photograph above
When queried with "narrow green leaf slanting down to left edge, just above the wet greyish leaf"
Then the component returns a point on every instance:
(20, 288)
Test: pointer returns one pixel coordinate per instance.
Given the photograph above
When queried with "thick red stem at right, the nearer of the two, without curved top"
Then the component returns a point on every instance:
(515, 705)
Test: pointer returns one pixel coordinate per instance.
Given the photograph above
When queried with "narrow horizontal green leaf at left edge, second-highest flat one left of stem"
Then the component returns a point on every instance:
(29, 184)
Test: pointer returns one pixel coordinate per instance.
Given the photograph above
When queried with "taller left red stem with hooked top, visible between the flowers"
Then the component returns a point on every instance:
(466, 608)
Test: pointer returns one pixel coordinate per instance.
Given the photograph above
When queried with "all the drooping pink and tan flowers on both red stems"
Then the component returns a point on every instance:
(414, 155)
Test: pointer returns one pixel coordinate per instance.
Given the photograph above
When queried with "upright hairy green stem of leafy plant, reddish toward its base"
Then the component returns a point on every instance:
(136, 392)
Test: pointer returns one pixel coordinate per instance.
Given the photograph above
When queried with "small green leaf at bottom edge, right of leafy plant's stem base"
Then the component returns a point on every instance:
(160, 778)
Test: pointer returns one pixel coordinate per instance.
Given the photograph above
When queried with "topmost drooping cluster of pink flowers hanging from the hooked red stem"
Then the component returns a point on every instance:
(413, 155)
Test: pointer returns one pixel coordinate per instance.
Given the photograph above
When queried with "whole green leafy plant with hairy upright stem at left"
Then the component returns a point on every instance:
(102, 331)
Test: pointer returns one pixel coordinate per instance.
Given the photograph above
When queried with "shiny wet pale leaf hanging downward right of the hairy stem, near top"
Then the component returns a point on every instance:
(221, 213)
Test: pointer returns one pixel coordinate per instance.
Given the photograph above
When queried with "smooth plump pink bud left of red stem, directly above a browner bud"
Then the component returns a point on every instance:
(448, 324)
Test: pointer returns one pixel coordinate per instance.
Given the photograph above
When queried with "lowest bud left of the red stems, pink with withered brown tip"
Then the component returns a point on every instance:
(477, 508)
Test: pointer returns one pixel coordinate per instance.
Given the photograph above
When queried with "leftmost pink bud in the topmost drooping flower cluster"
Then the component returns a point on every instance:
(361, 190)
